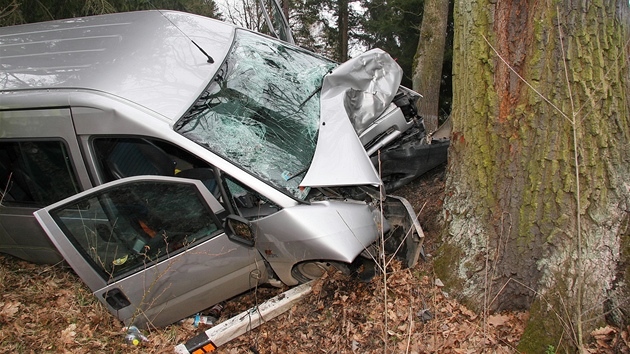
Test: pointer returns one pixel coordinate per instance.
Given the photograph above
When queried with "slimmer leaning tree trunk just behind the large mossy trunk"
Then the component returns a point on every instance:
(427, 72)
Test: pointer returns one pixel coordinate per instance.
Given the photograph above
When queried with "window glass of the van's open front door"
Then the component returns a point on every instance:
(136, 224)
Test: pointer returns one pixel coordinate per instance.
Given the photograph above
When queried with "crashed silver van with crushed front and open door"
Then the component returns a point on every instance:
(174, 161)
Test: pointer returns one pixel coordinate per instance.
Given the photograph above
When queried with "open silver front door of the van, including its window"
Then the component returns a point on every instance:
(151, 248)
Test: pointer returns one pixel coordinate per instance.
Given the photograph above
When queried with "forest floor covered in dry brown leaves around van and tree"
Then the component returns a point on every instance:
(48, 309)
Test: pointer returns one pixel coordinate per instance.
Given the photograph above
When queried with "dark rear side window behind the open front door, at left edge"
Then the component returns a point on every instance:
(36, 172)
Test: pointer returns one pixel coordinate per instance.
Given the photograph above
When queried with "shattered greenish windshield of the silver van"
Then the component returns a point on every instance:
(261, 110)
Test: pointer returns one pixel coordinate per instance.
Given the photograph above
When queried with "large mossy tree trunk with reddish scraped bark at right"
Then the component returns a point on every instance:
(522, 232)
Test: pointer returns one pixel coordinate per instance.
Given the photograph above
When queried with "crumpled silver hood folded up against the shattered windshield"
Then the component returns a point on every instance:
(353, 95)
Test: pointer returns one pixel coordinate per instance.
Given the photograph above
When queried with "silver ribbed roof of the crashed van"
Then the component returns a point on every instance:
(145, 57)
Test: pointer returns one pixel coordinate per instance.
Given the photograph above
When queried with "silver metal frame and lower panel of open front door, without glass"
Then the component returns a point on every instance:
(177, 286)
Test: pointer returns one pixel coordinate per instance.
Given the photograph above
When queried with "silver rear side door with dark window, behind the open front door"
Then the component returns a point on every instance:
(40, 163)
